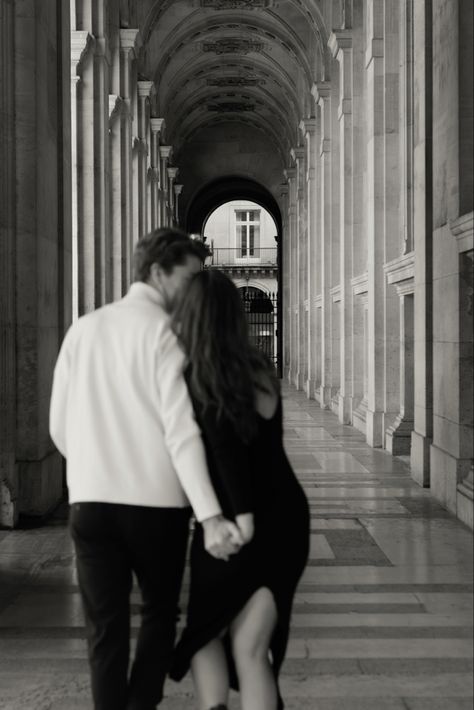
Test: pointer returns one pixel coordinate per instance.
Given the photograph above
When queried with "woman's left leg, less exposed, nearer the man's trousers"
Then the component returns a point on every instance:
(211, 676)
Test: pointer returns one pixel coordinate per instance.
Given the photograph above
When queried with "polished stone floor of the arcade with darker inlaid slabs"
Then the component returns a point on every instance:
(383, 615)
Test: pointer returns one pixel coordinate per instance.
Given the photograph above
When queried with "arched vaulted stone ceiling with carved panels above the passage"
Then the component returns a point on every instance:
(234, 67)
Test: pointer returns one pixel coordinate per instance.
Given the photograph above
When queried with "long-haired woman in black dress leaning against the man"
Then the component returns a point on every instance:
(239, 608)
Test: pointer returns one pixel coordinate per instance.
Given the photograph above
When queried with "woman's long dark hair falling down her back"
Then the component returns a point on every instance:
(225, 370)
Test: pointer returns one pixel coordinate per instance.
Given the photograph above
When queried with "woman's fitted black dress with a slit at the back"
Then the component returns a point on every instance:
(254, 478)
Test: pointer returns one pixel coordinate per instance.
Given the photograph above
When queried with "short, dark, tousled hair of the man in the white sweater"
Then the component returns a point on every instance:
(167, 248)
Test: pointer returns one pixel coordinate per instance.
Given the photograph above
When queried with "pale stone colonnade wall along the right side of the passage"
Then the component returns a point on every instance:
(377, 207)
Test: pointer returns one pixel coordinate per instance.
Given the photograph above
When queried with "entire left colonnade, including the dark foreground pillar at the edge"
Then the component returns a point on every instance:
(84, 173)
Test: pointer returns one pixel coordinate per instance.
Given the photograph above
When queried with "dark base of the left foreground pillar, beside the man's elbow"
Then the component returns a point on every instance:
(41, 484)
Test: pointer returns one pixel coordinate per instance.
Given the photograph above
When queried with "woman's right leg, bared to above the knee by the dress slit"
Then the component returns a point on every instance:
(251, 633)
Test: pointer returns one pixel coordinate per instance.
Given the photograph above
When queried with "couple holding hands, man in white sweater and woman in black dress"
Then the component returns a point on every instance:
(160, 405)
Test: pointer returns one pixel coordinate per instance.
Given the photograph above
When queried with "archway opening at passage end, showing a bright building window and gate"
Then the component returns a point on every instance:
(241, 222)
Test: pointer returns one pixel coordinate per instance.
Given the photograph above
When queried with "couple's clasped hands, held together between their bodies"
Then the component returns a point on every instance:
(223, 537)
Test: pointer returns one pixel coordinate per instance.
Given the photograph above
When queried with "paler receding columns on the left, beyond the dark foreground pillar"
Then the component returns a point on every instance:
(123, 183)
